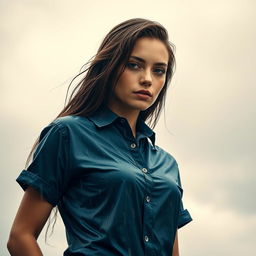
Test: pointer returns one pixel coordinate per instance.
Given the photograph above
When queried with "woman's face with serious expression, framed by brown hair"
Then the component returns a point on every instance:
(143, 78)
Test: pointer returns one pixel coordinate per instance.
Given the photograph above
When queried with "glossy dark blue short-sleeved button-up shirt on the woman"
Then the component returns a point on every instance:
(117, 195)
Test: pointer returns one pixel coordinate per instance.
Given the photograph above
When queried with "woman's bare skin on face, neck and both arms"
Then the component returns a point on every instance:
(144, 73)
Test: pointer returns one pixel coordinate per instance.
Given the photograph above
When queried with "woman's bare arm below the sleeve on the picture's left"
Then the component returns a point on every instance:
(28, 223)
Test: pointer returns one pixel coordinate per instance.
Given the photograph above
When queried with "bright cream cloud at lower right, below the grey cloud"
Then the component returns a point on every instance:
(218, 232)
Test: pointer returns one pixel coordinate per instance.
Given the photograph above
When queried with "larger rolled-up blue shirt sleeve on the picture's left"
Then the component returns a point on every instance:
(49, 171)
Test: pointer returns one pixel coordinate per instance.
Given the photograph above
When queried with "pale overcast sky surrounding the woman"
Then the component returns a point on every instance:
(209, 124)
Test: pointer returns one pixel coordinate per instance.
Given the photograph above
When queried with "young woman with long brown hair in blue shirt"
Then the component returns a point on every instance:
(117, 192)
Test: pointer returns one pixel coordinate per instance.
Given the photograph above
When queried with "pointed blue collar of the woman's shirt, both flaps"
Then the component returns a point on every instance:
(104, 116)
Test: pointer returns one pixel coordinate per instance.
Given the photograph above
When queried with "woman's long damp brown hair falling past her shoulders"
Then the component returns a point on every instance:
(103, 71)
